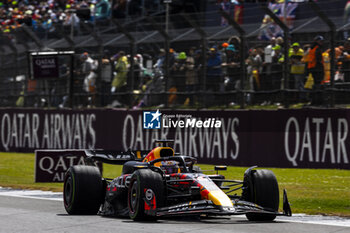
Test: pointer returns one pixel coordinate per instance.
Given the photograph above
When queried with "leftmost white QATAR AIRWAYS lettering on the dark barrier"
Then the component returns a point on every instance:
(53, 131)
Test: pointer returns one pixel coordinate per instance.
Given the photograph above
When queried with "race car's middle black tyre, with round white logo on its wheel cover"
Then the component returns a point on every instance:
(143, 181)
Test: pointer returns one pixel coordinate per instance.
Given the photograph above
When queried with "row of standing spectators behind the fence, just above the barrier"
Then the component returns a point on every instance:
(309, 66)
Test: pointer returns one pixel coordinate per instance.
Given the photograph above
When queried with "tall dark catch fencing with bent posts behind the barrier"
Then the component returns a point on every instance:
(177, 83)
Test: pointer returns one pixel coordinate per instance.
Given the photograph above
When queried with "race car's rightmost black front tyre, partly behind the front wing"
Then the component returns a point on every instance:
(263, 190)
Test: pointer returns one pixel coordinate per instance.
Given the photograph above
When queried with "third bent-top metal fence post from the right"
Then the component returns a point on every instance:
(242, 53)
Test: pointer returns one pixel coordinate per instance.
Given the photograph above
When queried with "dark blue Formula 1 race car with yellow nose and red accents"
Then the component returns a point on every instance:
(163, 184)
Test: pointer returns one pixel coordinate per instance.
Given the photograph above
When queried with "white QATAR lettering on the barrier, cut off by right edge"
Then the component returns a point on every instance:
(313, 141)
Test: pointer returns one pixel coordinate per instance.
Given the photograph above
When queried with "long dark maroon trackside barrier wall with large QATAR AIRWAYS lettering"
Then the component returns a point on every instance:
(305, 138)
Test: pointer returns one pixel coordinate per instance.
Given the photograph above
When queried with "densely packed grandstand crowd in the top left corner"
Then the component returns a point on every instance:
(41, 15)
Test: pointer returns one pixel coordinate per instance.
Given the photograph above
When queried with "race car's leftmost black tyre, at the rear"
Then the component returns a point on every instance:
(83, 190)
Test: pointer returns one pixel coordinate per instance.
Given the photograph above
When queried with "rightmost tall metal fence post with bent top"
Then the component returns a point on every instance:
(333, 30)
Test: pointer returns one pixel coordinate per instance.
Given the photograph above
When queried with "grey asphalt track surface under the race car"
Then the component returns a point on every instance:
(18, 214)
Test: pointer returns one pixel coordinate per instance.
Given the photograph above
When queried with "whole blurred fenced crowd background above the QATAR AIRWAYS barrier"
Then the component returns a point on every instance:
(152, 53)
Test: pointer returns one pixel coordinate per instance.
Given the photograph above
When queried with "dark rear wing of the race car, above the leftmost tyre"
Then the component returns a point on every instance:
(114, 157)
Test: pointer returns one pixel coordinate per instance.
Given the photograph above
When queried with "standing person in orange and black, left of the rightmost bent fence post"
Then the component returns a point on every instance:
(315, 67)
